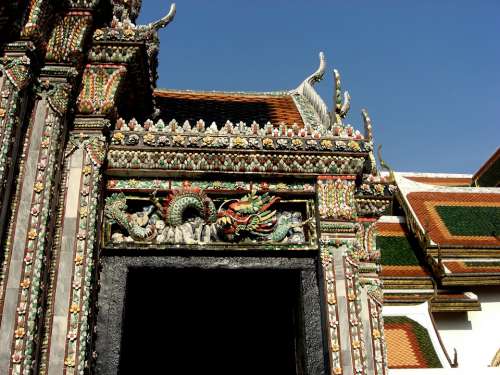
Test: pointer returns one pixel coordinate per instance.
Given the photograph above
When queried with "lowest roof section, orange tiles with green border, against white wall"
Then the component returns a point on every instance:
(409, 344)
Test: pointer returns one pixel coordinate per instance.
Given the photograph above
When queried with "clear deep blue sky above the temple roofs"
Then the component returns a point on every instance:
(427, 71)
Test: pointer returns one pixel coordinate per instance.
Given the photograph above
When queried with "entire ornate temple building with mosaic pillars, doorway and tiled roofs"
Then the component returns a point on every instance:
(149, 230)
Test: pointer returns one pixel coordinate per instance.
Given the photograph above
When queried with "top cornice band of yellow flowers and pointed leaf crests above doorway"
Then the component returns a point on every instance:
(234, 136)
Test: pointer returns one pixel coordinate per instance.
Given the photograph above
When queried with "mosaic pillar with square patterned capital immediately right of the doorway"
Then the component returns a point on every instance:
(338, 224)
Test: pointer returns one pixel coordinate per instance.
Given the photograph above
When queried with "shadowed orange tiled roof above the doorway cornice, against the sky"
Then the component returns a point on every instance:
(220, 107)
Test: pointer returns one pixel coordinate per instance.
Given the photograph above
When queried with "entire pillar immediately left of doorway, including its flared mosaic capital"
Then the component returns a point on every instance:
(68, 331)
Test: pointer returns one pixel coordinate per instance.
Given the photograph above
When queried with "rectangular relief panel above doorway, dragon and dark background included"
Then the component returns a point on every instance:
(188, 216)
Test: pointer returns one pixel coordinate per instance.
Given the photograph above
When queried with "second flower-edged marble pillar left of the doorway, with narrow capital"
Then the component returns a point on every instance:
(29, 239)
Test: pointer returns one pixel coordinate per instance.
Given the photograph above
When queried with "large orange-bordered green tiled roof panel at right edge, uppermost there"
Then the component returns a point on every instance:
(458, 219)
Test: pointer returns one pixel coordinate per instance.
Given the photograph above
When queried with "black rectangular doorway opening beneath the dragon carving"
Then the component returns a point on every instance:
(193, 321)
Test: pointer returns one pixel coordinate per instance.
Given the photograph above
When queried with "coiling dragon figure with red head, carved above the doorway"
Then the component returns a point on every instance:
(250, 217)
